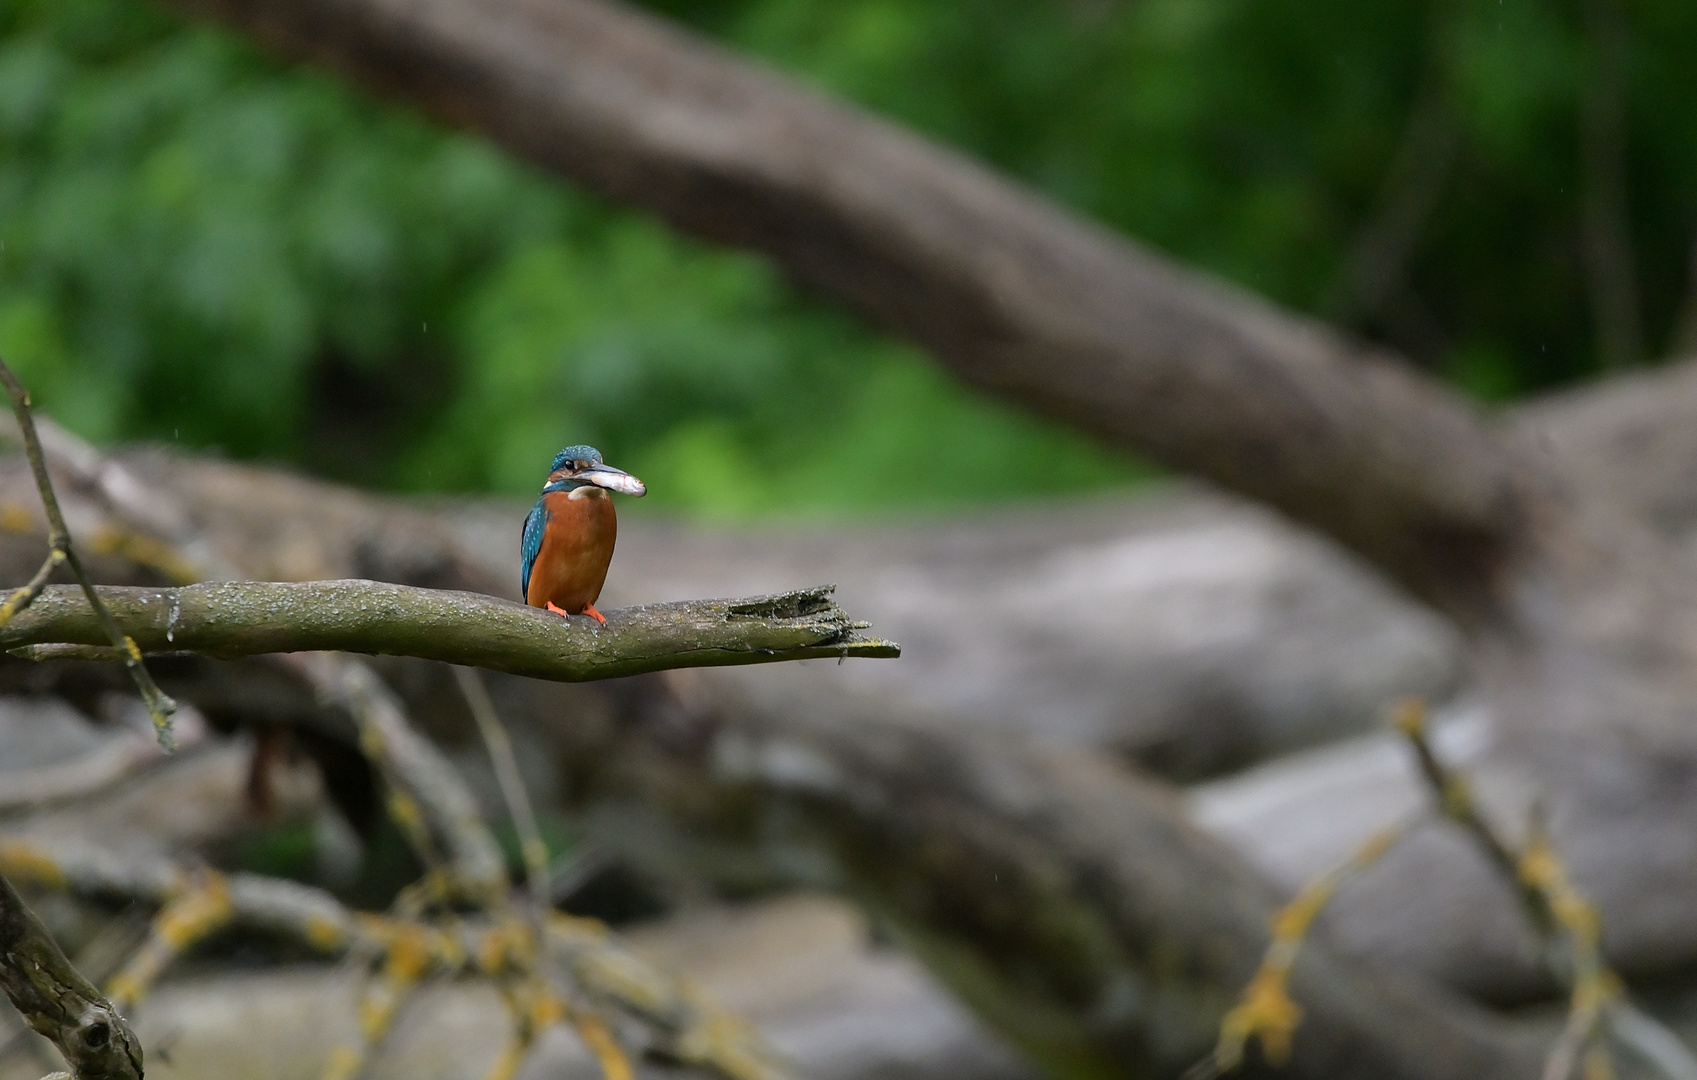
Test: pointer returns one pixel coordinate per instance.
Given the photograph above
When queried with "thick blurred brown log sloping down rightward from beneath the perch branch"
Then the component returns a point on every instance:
(1060, 892)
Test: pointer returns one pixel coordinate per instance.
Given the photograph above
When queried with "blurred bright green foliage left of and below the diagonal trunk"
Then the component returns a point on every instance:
(204, 247)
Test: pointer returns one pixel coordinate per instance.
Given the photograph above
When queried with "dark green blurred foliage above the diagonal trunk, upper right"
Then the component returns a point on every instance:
(1258, 138)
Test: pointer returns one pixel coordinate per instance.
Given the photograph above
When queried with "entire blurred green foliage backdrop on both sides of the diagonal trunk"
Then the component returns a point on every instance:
(203, 247)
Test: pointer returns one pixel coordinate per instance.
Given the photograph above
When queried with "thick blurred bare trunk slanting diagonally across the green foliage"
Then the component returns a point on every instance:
(1014, 295)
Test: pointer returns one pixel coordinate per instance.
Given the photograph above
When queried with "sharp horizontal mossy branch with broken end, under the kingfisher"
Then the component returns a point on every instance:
(254, 617)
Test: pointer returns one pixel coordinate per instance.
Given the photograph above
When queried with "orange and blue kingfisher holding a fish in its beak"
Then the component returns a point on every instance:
(568, 541)
